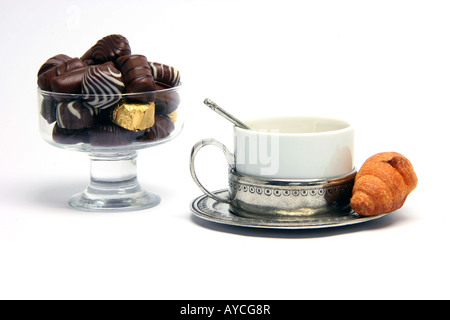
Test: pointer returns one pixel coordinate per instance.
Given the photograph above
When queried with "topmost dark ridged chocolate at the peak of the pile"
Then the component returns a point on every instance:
(108, 48)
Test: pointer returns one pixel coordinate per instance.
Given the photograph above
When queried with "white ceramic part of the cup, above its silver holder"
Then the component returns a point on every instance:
(294, 148)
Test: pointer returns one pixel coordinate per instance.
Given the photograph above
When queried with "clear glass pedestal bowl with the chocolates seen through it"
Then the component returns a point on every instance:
(67, 121)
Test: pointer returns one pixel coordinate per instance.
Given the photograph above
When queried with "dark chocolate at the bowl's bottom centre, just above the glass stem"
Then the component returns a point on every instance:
(109, 135)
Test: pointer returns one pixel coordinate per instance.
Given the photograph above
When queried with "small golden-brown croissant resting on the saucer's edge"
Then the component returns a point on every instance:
(382, 184)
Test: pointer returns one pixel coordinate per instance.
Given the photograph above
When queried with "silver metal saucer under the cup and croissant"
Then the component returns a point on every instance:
(209, 209)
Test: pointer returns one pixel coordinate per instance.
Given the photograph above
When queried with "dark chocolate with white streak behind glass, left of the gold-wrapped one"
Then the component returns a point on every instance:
(74, 115)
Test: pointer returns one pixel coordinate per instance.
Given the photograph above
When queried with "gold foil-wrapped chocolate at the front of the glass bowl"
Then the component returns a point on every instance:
(134, 116)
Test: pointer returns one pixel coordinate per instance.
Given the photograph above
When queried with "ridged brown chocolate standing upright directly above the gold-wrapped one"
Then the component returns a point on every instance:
(137, 75)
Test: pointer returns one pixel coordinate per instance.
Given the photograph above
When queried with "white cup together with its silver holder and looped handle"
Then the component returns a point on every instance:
(287, 166)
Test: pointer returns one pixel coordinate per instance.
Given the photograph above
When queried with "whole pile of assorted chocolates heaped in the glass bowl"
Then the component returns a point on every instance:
(108, 96)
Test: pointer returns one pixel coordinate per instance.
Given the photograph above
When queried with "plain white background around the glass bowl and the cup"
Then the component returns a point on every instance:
(383, 65)
